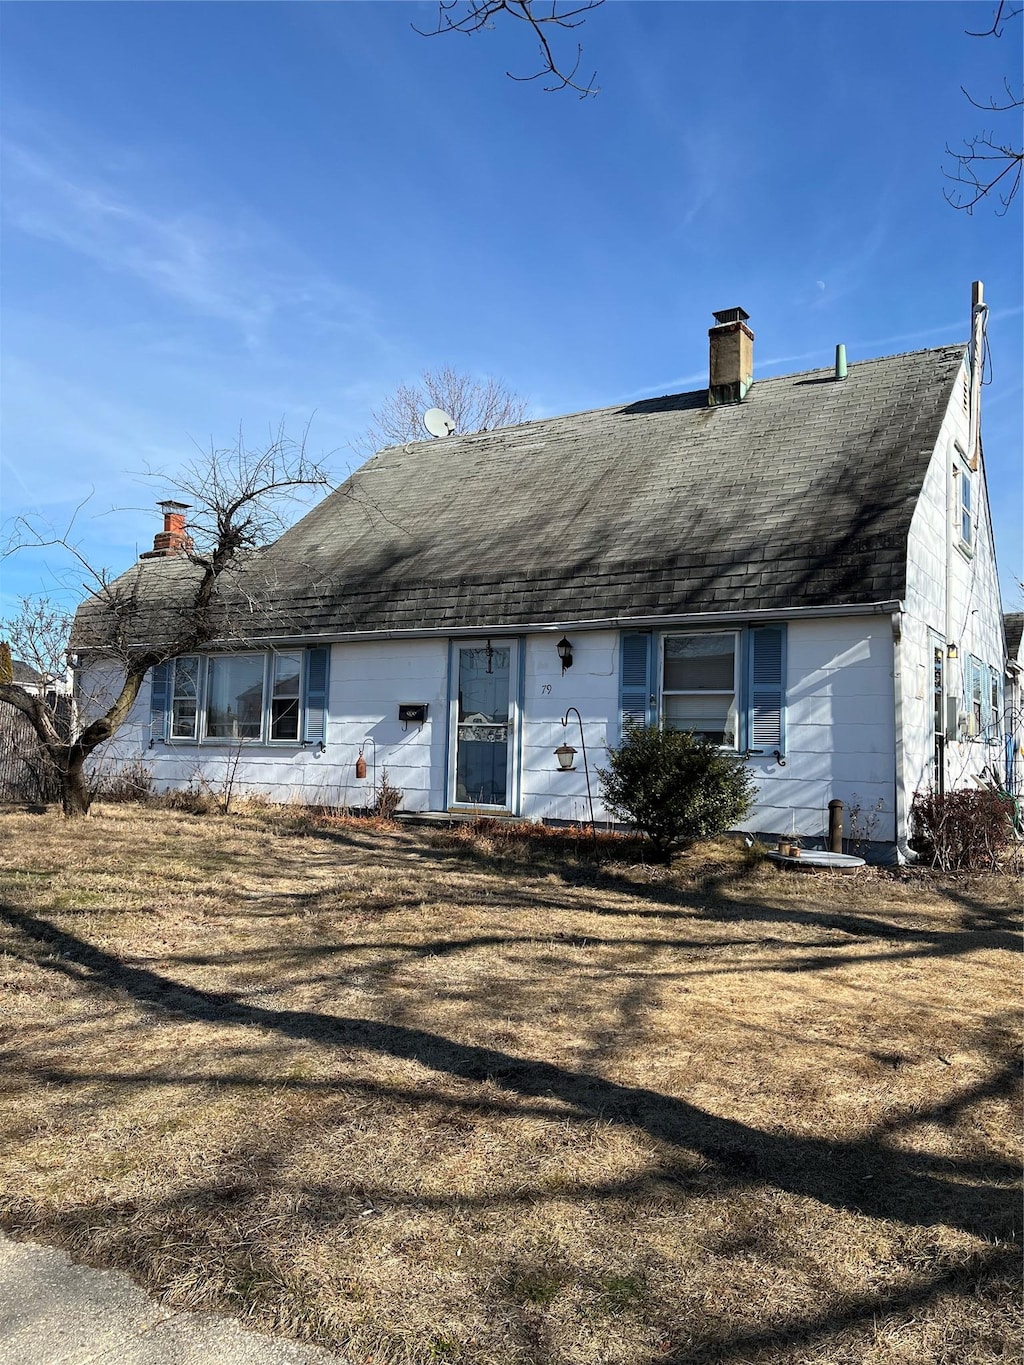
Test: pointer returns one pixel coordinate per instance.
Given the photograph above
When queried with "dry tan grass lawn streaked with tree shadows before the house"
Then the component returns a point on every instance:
(421, 1098)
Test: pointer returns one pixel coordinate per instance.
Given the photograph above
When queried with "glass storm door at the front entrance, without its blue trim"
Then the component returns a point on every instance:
(483, 725)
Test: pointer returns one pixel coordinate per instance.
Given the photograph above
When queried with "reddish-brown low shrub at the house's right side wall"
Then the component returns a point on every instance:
(962, 832)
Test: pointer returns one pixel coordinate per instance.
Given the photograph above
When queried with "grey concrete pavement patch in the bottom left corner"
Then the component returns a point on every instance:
(54, 1312)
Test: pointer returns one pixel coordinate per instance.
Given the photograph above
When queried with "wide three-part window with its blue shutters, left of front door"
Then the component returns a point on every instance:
(278, 697)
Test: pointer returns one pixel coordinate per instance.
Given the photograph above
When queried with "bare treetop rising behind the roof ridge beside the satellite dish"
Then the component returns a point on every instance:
(472, 405)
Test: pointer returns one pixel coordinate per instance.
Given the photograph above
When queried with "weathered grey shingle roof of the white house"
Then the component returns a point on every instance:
(801, 496)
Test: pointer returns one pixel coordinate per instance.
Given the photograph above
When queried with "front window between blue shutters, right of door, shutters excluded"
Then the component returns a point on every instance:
(700, 686)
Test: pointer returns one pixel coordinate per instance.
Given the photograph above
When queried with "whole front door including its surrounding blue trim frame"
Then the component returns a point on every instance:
(483, 724)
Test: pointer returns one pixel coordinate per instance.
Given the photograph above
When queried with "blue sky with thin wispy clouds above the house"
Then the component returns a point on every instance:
(222, 215)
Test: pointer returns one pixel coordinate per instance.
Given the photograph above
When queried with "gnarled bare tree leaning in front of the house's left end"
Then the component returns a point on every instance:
(163, 607)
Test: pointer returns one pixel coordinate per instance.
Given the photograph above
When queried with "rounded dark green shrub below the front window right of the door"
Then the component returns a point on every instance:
(675, 787)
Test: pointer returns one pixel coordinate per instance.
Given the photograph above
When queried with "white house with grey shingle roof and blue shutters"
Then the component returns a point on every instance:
(801, 569)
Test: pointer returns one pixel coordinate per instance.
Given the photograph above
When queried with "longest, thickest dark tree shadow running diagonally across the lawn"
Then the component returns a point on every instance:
(864, 1176)
